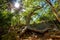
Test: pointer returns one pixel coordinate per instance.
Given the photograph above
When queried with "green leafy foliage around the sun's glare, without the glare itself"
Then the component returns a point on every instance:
(34, 11)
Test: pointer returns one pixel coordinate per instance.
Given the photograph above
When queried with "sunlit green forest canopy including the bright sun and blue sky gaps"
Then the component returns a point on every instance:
(37, 11)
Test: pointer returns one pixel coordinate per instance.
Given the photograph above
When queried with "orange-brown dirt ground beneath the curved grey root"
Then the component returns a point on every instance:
(28, 35)
